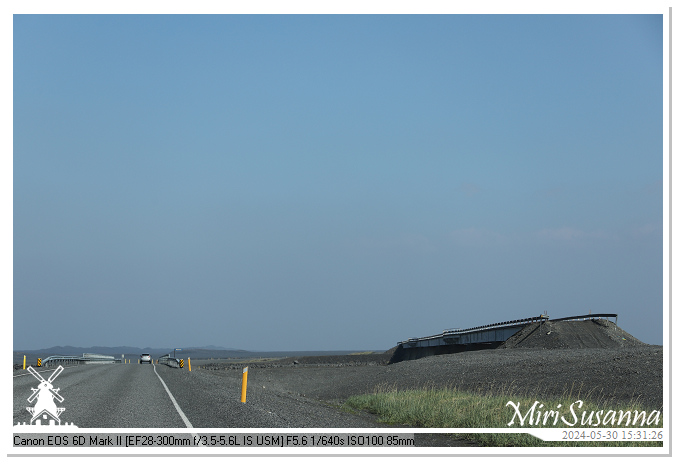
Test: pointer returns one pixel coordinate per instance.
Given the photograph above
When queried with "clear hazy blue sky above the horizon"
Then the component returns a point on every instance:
(332, 182)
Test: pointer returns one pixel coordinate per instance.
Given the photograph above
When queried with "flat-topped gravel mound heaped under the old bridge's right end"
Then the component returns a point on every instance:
(593, 333)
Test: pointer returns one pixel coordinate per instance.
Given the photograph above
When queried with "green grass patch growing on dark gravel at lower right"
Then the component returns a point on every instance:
(452, 408)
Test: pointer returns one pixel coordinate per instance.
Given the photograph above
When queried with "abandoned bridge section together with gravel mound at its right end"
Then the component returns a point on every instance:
(588, 331)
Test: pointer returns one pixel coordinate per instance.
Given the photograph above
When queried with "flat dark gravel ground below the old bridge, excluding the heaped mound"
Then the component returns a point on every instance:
(612, 374)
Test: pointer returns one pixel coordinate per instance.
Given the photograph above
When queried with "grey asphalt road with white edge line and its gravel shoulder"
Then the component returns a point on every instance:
(133, 396)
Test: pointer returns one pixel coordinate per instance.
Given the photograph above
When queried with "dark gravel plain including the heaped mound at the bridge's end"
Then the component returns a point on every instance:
(592, 359)
